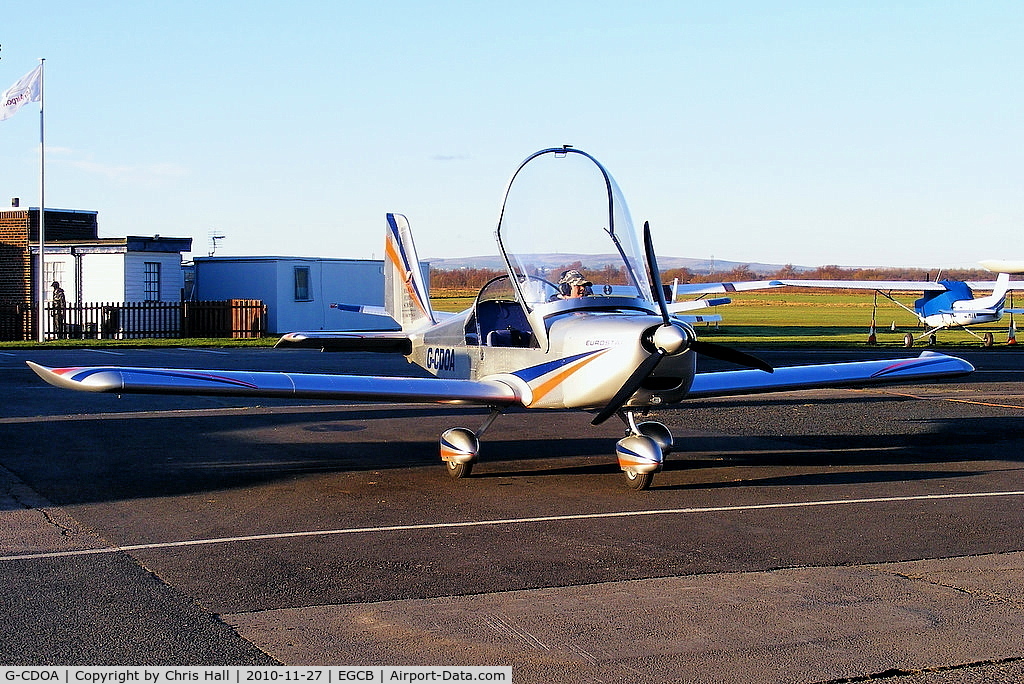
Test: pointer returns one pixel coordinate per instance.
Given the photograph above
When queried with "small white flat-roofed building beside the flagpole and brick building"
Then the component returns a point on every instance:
(116, 270)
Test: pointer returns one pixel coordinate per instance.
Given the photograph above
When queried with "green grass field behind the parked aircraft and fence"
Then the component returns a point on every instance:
(781, 318)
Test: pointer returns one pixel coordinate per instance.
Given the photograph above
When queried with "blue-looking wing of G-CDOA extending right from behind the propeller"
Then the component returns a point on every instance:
(929, 366)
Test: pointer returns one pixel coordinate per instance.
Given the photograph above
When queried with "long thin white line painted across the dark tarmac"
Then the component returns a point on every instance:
(507, 522)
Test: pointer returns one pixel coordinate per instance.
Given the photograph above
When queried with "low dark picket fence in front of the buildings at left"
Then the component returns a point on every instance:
(124, 321)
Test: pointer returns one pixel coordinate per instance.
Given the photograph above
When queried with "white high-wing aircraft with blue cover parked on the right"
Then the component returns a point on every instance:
(944, 305)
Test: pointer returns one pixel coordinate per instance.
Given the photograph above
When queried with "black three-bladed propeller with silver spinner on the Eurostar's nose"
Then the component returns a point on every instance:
(669, 340)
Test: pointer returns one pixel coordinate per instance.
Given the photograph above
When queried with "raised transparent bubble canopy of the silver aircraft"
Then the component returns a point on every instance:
(563, 211)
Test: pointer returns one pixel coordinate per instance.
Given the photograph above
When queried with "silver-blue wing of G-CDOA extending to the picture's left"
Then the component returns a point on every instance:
(272, 384)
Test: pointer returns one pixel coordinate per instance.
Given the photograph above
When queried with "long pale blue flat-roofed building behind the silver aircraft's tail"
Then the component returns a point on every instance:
(301, 293)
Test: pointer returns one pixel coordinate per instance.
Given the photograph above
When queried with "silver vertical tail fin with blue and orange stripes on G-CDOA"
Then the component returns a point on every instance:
(406, 296)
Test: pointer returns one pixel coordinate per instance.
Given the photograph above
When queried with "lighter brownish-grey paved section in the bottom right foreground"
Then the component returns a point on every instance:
(935, 618)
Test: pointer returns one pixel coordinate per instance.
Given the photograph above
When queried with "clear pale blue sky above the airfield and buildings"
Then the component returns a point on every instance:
(857, 134)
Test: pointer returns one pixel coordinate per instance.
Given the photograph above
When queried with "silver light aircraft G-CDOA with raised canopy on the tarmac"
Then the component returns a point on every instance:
(527, 341)
